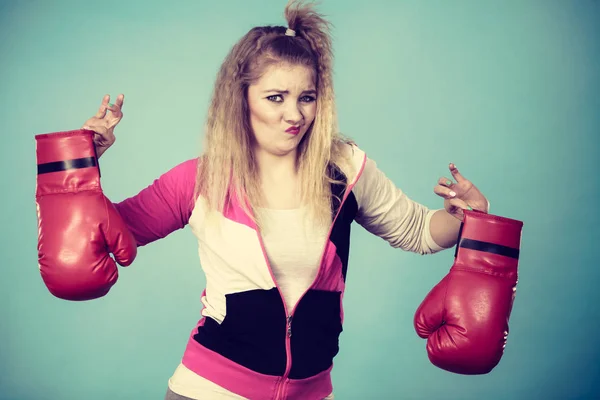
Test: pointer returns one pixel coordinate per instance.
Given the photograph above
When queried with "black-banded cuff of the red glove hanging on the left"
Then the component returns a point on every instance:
(66, 162)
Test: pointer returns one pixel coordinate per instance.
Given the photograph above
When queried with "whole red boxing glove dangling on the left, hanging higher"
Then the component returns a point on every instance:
(78, 227)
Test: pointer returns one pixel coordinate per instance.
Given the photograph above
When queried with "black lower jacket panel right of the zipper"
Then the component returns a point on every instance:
(316, 327)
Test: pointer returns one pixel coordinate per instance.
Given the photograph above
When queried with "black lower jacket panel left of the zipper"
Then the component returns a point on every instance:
(253, 332)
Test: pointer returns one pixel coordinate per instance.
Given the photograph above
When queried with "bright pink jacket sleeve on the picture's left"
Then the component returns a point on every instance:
(163, 207)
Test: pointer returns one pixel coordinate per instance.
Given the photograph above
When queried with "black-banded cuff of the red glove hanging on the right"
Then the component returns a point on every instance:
(489, 244)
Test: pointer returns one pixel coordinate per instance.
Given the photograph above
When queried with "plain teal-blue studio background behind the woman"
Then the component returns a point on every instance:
(507, 90)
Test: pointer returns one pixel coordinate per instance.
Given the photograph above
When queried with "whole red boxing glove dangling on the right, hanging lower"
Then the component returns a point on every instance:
(465, 316)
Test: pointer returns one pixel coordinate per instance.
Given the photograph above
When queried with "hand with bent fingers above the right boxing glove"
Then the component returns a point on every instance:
(460, 195)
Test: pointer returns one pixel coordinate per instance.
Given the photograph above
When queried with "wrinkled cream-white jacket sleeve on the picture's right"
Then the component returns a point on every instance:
(386, 211)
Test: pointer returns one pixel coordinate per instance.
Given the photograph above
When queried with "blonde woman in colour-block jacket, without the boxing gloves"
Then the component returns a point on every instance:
(271, 201)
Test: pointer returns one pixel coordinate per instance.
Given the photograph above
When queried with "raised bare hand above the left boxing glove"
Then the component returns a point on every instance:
(104, 123)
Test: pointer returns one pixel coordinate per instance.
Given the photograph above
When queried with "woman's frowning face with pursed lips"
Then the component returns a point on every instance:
(282, 107)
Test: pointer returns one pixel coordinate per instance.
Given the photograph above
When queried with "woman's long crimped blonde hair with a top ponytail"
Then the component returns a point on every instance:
(227, 167)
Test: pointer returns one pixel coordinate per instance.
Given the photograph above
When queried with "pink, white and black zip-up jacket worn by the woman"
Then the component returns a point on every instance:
(247, 340)
